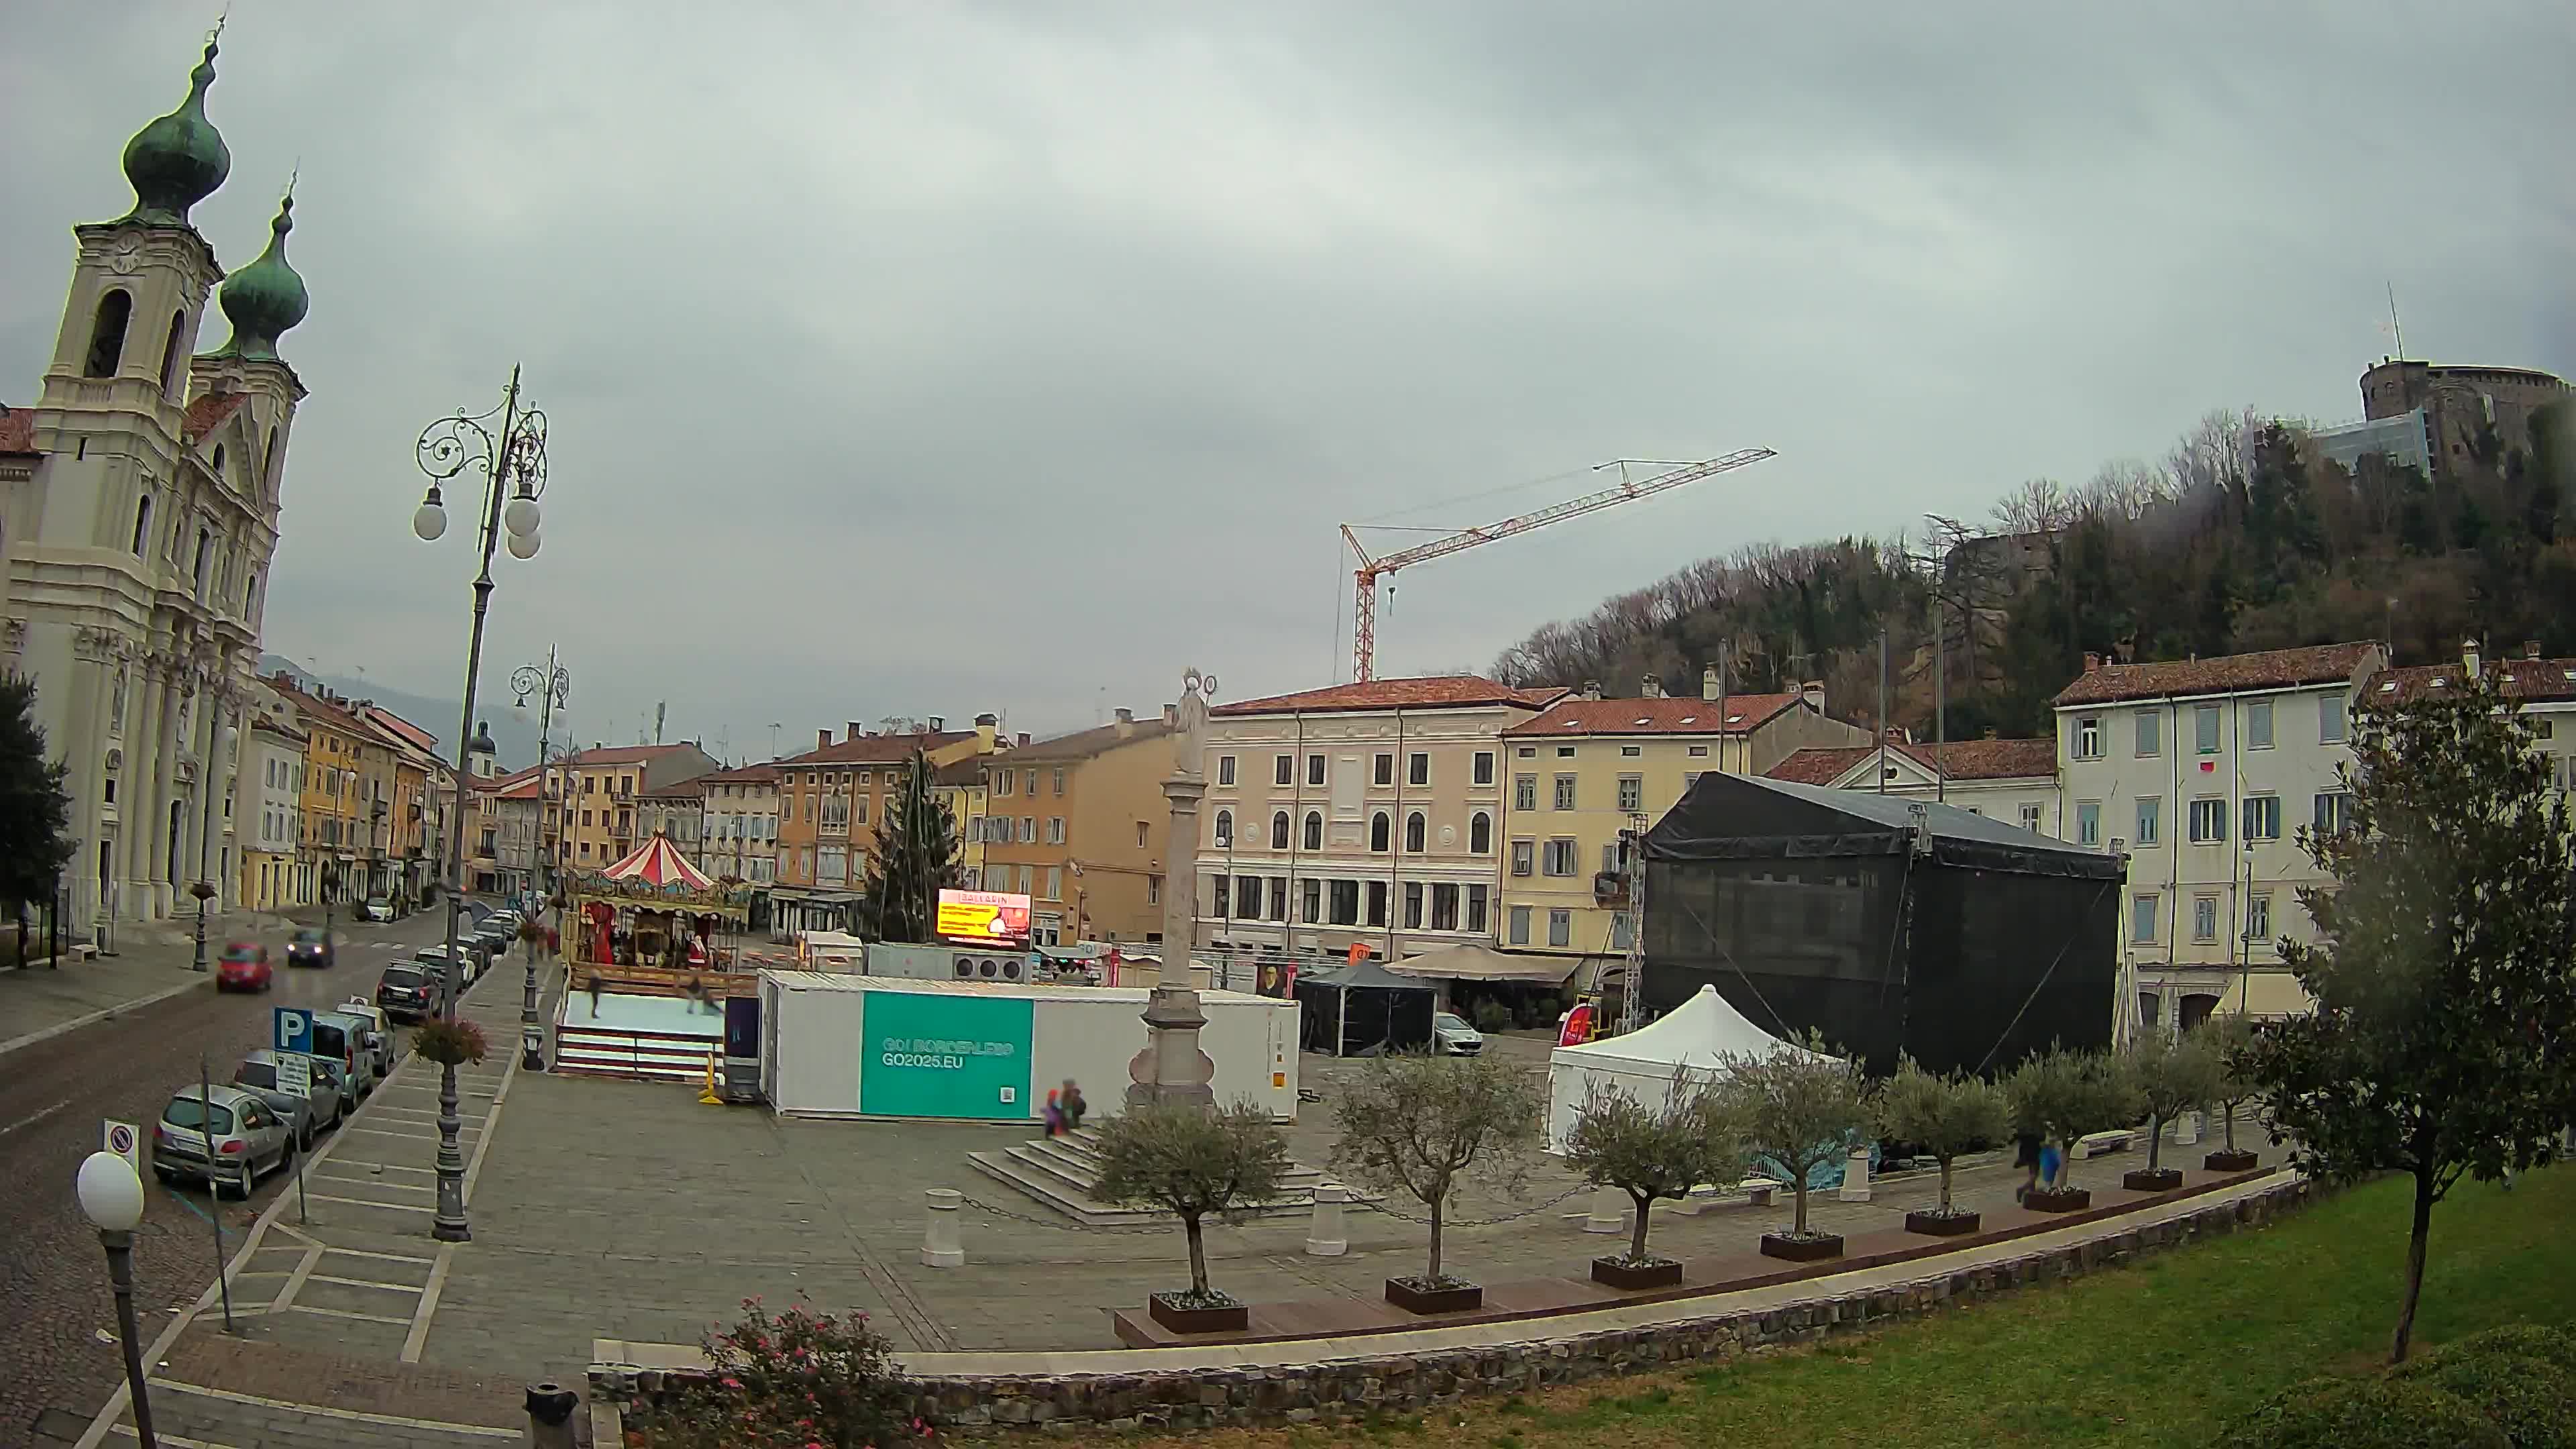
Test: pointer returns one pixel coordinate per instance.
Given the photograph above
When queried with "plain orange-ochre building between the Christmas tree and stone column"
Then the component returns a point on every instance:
(1081, 826)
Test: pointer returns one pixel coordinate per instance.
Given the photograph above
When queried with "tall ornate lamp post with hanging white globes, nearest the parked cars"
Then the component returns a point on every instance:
(509, 460)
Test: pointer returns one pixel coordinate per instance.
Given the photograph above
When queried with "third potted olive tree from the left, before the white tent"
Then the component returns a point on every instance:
(1653, 1154)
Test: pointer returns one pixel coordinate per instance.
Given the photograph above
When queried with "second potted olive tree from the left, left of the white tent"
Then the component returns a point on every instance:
(1428, 1125)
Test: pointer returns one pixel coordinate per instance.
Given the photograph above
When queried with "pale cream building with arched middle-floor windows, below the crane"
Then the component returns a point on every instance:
(1356, 816)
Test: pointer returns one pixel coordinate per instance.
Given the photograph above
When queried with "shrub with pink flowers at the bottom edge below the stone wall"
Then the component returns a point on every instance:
(790, 1381)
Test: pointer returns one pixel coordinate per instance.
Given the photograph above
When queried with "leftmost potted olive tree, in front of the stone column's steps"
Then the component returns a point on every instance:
(1194, 1164)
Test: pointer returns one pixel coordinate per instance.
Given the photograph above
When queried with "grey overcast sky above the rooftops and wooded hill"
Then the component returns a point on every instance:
(926, 360)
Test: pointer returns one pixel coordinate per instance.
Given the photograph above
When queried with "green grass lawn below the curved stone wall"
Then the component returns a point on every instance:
(2152, 1355)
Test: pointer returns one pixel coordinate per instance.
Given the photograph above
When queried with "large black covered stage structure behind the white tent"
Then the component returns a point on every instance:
(1887, 924)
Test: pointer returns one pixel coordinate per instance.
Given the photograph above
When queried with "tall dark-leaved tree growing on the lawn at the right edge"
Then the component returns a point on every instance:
(2446, 1012)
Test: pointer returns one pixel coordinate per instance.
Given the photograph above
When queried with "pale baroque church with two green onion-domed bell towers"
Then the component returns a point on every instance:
(138, 522)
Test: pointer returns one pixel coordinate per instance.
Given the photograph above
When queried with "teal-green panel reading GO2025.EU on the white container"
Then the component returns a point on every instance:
(944, 1056)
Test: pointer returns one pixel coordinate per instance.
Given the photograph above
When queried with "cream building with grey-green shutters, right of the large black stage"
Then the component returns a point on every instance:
(2204, 772)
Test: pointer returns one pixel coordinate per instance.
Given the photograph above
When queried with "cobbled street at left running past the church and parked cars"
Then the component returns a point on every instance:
(53, 1100)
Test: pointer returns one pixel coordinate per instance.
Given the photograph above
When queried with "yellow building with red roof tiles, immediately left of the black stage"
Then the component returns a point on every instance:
(1586, 770)
